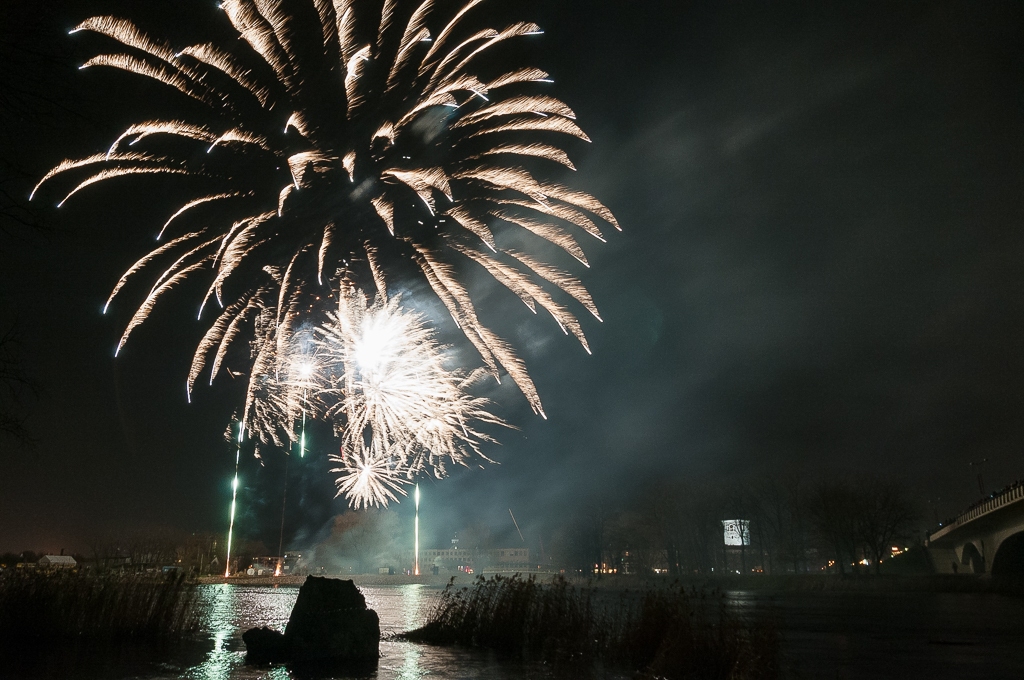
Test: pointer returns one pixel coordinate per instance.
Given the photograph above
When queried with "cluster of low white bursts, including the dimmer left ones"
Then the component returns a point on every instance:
(376, 371)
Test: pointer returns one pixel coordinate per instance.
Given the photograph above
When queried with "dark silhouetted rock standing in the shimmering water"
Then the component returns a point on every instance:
(329, 623)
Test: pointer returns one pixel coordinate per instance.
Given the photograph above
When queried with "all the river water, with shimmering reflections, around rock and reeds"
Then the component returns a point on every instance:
(837, 636)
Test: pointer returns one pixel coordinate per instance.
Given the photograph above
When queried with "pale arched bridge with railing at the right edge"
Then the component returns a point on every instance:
(989, 538)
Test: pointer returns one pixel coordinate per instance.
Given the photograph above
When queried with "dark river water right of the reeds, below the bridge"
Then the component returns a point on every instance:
(842, 636)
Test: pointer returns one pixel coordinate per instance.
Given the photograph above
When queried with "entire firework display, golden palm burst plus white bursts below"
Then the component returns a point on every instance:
(348, 143)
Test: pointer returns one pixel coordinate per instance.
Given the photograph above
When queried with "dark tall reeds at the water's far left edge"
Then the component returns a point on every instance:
(49, 607)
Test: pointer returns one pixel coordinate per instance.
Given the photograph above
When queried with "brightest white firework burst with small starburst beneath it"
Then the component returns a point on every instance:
(398, 408)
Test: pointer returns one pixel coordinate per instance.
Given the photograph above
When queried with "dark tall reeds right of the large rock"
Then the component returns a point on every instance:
(669, 632)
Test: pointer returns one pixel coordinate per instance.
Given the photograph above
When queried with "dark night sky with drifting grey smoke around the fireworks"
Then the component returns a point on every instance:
(821, 270)
